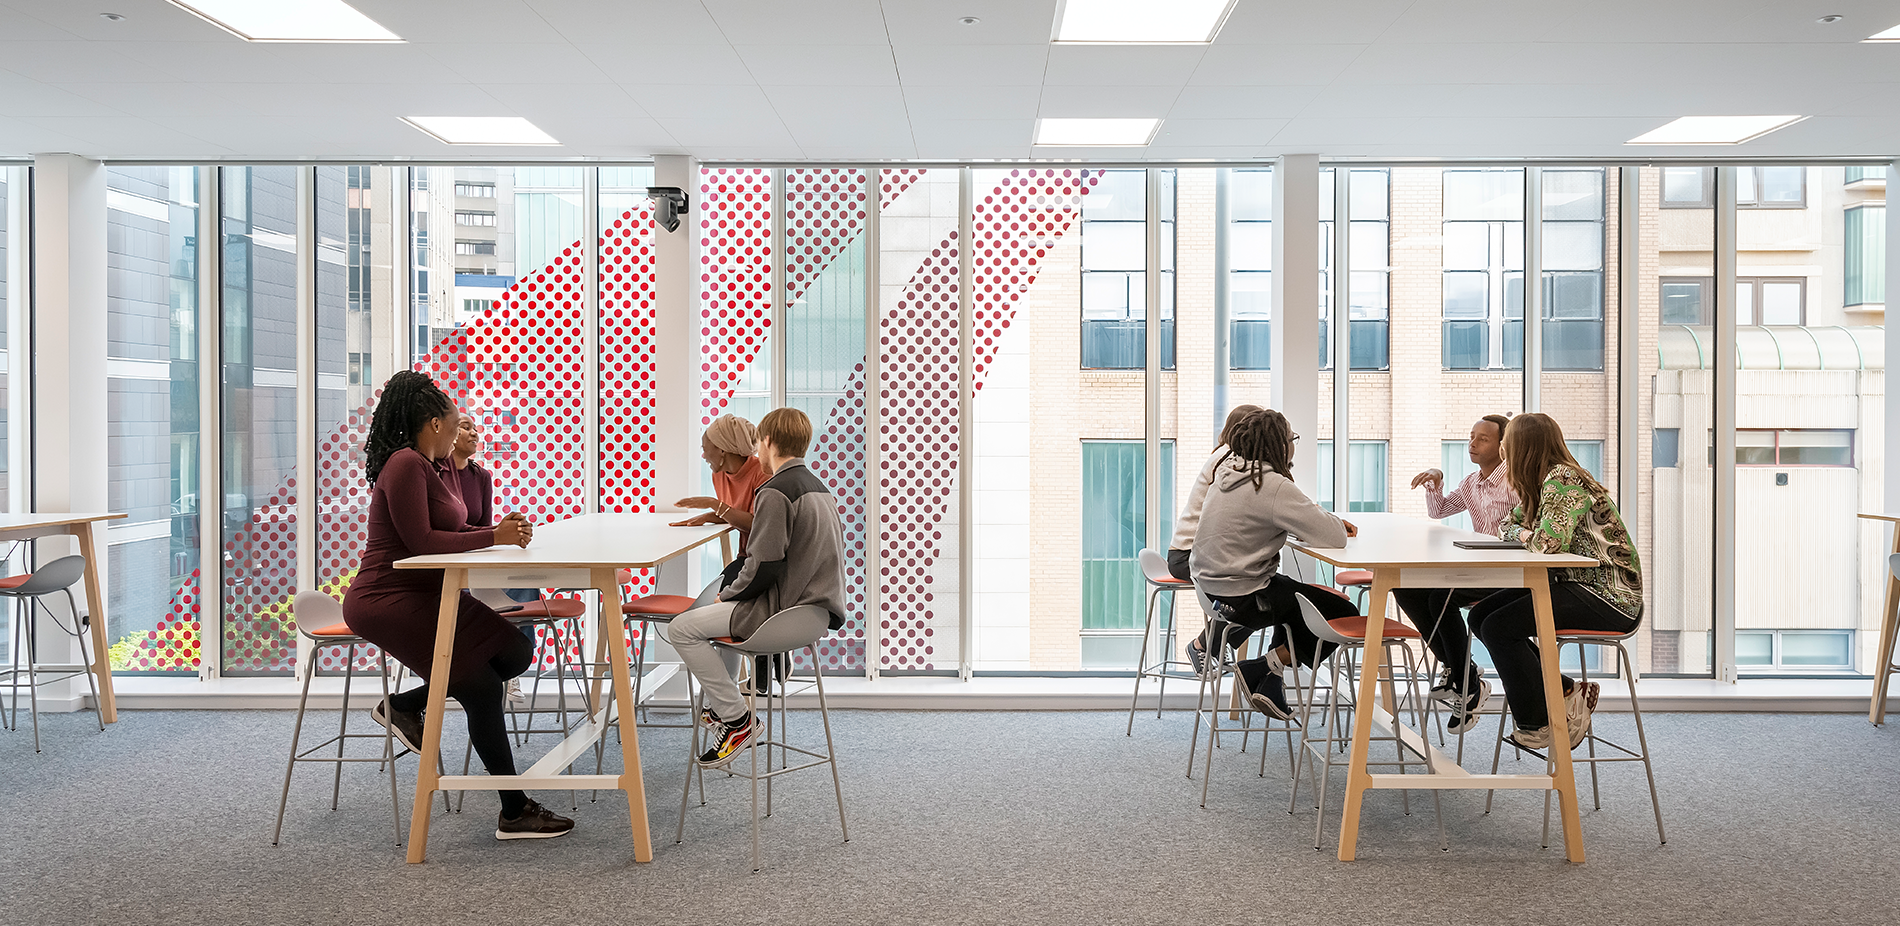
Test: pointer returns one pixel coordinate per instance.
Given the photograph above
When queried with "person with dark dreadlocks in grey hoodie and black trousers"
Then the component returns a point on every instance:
(1251, 509)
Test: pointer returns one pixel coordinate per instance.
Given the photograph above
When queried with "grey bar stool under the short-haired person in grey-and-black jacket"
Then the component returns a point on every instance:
(791, 630)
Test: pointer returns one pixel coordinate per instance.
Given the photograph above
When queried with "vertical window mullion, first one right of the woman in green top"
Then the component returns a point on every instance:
(1722, 358)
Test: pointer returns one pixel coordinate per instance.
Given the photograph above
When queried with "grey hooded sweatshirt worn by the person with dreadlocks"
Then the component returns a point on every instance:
(1238, 545)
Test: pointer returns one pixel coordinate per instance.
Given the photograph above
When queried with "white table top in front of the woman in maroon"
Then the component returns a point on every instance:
(613, 541)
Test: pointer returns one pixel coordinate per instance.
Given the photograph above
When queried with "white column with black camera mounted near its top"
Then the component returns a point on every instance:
(677, 438)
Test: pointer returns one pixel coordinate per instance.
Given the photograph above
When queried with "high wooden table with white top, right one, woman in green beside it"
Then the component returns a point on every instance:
(1407, 552)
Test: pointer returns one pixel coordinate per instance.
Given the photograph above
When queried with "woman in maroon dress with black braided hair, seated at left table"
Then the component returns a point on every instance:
(413, 511)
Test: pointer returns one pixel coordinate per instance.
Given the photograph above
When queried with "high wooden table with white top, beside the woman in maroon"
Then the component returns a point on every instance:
(582, 552)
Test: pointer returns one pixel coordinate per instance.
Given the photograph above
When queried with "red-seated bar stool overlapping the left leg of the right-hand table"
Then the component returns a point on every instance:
(1342, 689)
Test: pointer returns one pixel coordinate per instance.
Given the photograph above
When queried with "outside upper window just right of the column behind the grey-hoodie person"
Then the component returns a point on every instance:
(1369, 288)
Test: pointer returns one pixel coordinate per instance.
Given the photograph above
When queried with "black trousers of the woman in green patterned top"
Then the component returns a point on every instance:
(1508, 627)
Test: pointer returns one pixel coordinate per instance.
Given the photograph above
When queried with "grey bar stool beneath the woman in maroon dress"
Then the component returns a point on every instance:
(324, 613)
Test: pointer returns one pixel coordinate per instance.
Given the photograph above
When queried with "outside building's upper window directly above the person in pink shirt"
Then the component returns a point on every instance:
(1483, 271)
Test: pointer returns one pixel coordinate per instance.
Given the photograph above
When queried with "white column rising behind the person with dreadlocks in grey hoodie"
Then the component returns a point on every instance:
(1295, 353)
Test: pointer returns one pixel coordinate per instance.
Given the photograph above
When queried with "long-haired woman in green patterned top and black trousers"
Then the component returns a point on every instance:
(1565, 511)
